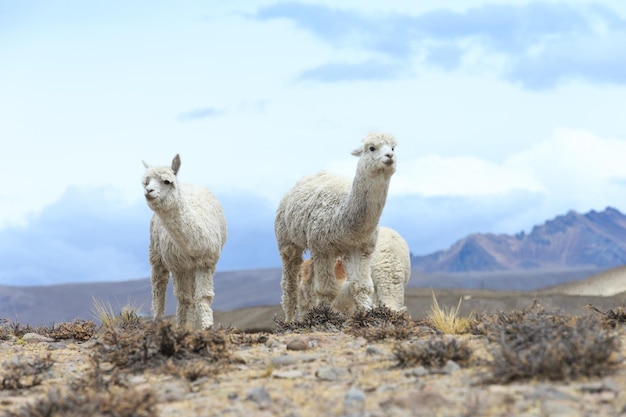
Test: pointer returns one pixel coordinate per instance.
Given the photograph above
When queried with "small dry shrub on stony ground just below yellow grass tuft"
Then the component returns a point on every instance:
(434, 351)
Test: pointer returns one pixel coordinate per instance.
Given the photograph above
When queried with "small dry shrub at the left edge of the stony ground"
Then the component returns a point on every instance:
(24, 372)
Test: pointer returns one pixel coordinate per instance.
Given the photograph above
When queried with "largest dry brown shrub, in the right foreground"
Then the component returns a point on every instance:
(533, 343)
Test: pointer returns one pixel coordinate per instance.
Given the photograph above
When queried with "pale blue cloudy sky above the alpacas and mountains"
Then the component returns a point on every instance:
(506, 113)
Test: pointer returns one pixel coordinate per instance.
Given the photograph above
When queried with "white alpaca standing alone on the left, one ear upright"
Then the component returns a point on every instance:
(187, 234)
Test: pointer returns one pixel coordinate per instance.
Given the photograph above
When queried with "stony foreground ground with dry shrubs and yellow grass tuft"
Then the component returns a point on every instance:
(529, 362)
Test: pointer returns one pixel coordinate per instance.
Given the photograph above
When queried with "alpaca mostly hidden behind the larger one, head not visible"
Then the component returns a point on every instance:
(391, 270)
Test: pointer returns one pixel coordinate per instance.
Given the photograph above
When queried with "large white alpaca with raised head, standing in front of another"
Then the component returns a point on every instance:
(333, 216)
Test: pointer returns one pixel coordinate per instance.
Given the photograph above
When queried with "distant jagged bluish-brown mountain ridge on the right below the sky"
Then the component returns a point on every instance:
(592, 240)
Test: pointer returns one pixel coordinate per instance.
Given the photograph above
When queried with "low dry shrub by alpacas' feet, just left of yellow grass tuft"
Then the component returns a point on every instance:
(381, 323)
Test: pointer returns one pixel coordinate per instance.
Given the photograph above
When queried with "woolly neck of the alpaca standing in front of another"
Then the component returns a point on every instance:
(362, 210)
